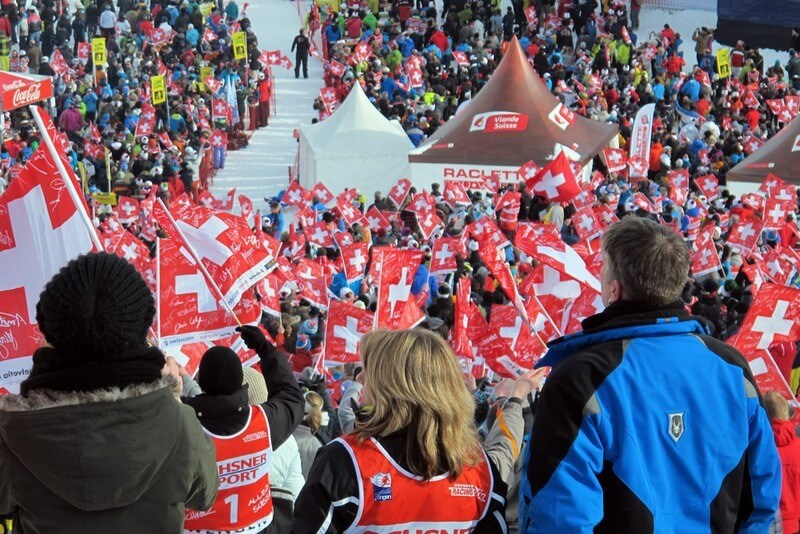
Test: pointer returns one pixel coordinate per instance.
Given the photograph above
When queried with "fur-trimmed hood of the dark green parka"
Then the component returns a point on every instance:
(97, 450)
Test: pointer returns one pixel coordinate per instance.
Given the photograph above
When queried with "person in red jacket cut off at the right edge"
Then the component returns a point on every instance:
(789, 450)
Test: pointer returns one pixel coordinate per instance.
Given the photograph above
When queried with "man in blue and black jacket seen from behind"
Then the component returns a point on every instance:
(646, 423)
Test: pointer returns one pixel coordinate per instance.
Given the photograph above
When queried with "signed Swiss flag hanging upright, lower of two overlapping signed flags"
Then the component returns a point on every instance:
(189, 307)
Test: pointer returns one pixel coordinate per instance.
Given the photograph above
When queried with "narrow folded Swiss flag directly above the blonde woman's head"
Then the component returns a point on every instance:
(396, 308)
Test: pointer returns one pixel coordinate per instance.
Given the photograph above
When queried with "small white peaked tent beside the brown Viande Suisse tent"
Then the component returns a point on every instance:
(355, 147)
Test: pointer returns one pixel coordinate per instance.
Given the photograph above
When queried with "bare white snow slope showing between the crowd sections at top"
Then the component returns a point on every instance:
(262, 168)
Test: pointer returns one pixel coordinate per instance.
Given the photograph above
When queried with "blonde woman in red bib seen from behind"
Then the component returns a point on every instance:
(414, 460)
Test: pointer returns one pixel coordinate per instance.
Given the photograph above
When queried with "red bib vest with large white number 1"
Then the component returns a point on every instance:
(244, 501)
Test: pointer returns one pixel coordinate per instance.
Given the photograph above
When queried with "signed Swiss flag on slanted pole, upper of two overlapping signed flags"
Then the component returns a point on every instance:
(228, 249)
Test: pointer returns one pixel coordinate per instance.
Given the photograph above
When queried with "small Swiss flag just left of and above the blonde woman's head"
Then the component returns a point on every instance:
(344, 329)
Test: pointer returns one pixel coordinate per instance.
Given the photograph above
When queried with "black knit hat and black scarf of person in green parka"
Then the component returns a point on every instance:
(95, 314)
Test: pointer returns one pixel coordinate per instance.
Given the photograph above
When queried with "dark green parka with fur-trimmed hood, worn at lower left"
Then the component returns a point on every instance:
(119, 462)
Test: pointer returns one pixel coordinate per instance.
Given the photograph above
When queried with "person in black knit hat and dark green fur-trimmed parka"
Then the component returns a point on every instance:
(97, 441)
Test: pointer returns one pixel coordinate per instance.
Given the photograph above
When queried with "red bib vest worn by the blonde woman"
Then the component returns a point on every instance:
(394, 501)
